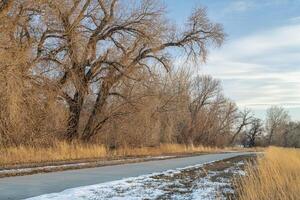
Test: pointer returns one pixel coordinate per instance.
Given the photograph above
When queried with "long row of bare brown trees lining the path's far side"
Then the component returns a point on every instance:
(101, 71)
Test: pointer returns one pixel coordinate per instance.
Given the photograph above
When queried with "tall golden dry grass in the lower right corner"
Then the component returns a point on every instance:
(276, 175)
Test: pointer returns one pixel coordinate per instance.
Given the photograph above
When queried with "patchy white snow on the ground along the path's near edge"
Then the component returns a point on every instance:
(171, 184)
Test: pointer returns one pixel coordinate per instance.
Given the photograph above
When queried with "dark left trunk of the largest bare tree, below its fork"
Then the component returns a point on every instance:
(75, 107)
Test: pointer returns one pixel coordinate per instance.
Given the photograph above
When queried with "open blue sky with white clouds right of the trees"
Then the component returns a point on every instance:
(259, 63)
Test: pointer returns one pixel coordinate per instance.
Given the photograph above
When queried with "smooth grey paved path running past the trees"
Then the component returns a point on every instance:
(21, 187)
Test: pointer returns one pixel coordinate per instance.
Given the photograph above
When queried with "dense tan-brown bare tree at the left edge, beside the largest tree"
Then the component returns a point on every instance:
(27, 110)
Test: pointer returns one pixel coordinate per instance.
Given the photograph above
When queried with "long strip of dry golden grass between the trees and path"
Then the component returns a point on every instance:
(62, 151)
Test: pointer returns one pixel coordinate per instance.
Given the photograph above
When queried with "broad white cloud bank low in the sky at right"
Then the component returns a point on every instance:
(261, 69)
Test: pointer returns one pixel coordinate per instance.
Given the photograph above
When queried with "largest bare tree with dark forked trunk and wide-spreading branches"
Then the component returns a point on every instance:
(85, 48)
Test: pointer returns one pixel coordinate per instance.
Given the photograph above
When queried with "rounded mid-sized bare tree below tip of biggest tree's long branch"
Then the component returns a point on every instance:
(211, 114)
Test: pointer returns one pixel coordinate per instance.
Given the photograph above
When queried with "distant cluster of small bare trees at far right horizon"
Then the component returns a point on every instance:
(278, 129)
